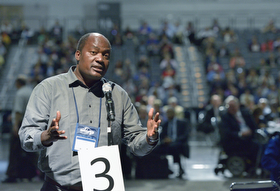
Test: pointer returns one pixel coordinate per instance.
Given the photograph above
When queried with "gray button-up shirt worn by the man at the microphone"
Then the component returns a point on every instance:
(55, 94)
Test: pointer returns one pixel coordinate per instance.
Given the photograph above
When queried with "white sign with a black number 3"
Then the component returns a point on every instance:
(101, 169)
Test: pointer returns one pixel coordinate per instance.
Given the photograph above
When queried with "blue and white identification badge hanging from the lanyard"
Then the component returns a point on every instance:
(86, 137)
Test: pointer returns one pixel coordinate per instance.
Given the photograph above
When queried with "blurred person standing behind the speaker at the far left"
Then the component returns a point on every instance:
(22, 164)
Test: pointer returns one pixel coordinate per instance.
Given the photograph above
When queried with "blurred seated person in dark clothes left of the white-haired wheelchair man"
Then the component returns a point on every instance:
(211, 110)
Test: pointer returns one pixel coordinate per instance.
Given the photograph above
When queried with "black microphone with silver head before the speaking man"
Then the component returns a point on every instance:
(107, 90)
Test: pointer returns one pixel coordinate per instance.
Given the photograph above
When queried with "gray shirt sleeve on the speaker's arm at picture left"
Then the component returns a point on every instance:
(35, 120)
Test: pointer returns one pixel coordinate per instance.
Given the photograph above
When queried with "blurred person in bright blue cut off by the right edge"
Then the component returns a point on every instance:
(271, 158)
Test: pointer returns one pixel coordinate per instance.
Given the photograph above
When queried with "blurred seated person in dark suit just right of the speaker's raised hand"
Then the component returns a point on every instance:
(174, 139)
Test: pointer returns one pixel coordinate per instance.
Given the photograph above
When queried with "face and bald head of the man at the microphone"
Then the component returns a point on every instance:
(94, 58)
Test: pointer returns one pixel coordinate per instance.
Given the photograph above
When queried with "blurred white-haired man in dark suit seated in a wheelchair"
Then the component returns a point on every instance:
(237, 129)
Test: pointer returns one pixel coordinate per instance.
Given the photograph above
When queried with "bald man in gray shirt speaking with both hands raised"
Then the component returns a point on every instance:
(61, 106)
